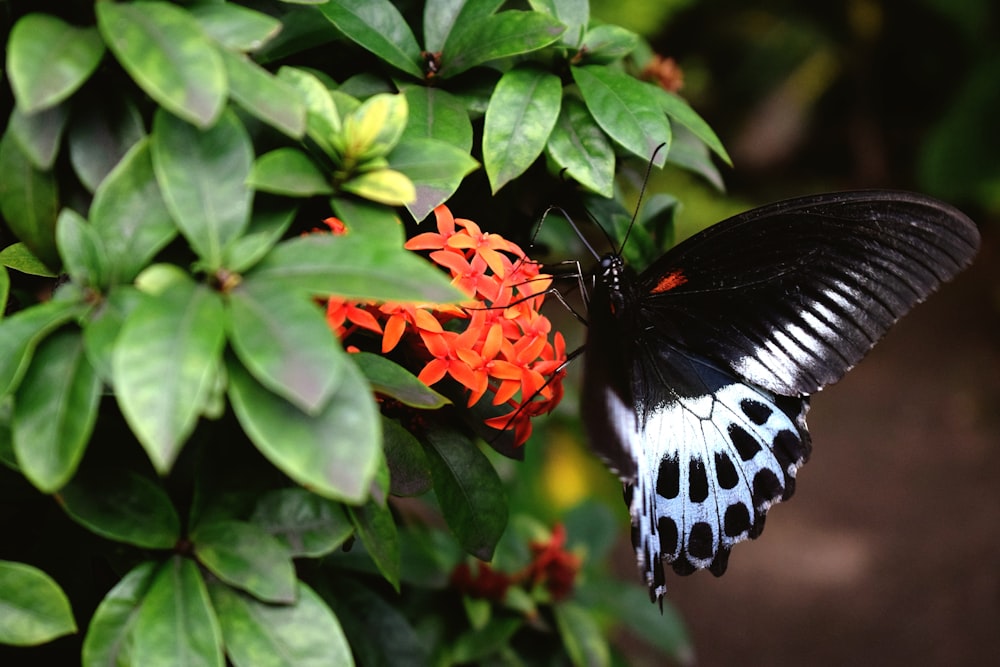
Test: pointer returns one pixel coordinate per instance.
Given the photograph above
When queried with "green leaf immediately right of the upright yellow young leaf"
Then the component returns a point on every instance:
(437, 114)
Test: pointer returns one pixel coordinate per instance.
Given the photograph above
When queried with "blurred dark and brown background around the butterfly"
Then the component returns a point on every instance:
(889, 553)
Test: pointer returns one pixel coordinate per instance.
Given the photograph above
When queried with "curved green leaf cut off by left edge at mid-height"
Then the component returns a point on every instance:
(22, 331)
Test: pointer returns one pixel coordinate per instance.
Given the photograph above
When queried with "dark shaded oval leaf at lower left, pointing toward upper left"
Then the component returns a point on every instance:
(124, 506)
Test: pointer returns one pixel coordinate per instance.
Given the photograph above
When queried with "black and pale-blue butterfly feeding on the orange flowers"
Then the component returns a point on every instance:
(698, 371)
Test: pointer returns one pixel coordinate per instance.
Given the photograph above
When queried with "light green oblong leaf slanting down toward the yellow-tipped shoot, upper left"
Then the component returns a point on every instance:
(262, 94)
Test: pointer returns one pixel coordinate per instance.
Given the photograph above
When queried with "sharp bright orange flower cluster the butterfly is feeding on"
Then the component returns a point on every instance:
(498, 344)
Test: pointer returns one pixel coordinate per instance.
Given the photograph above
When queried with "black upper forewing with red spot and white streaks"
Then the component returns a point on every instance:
(791, 295)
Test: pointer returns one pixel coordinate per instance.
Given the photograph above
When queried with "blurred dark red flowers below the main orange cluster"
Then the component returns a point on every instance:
(551, 566)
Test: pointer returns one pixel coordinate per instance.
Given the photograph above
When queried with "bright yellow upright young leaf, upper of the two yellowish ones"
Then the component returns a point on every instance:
(374, 127)
